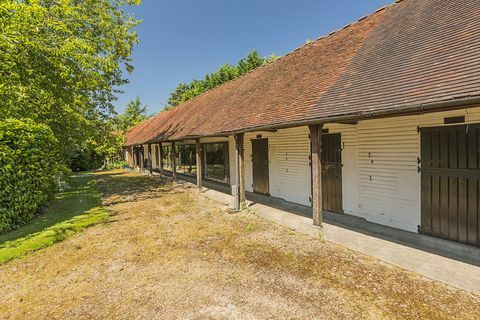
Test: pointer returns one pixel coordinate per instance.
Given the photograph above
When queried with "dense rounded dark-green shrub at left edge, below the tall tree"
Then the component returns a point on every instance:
(28, 170)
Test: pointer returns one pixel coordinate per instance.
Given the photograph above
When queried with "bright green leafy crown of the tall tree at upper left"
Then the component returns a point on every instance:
(61, 63)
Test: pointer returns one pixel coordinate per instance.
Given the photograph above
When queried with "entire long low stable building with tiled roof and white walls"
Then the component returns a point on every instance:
(379, 120)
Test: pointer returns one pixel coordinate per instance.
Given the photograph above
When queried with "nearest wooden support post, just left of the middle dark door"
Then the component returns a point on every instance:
(317, 201)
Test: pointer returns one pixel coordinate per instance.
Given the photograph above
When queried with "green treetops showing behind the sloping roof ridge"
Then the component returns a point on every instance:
(185, 92)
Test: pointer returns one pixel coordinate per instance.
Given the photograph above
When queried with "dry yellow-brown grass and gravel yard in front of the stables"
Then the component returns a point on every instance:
(167, 252)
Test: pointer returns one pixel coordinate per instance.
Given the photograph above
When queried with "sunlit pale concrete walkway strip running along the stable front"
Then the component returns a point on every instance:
(452, 272)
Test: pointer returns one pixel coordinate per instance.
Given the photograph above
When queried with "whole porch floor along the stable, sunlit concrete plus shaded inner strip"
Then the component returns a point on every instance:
(452, 263)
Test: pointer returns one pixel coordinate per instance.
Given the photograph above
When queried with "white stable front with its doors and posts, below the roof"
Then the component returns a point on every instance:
(374, 169)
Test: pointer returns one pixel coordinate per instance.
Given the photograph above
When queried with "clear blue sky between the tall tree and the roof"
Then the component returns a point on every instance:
(181, 40)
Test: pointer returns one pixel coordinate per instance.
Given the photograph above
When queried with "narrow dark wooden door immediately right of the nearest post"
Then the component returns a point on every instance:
(332, 172)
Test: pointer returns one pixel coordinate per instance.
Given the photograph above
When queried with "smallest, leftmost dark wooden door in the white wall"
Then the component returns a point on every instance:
(260, 166)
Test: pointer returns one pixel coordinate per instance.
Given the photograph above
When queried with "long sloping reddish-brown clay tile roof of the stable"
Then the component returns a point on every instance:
(411, 52)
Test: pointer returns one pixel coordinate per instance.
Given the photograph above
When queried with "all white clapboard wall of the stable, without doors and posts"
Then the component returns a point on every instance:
(380, 178)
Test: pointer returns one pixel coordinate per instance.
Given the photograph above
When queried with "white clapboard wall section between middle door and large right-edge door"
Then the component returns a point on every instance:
(389, 183)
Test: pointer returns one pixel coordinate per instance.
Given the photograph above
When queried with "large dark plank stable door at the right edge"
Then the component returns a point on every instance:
(450, 182)
